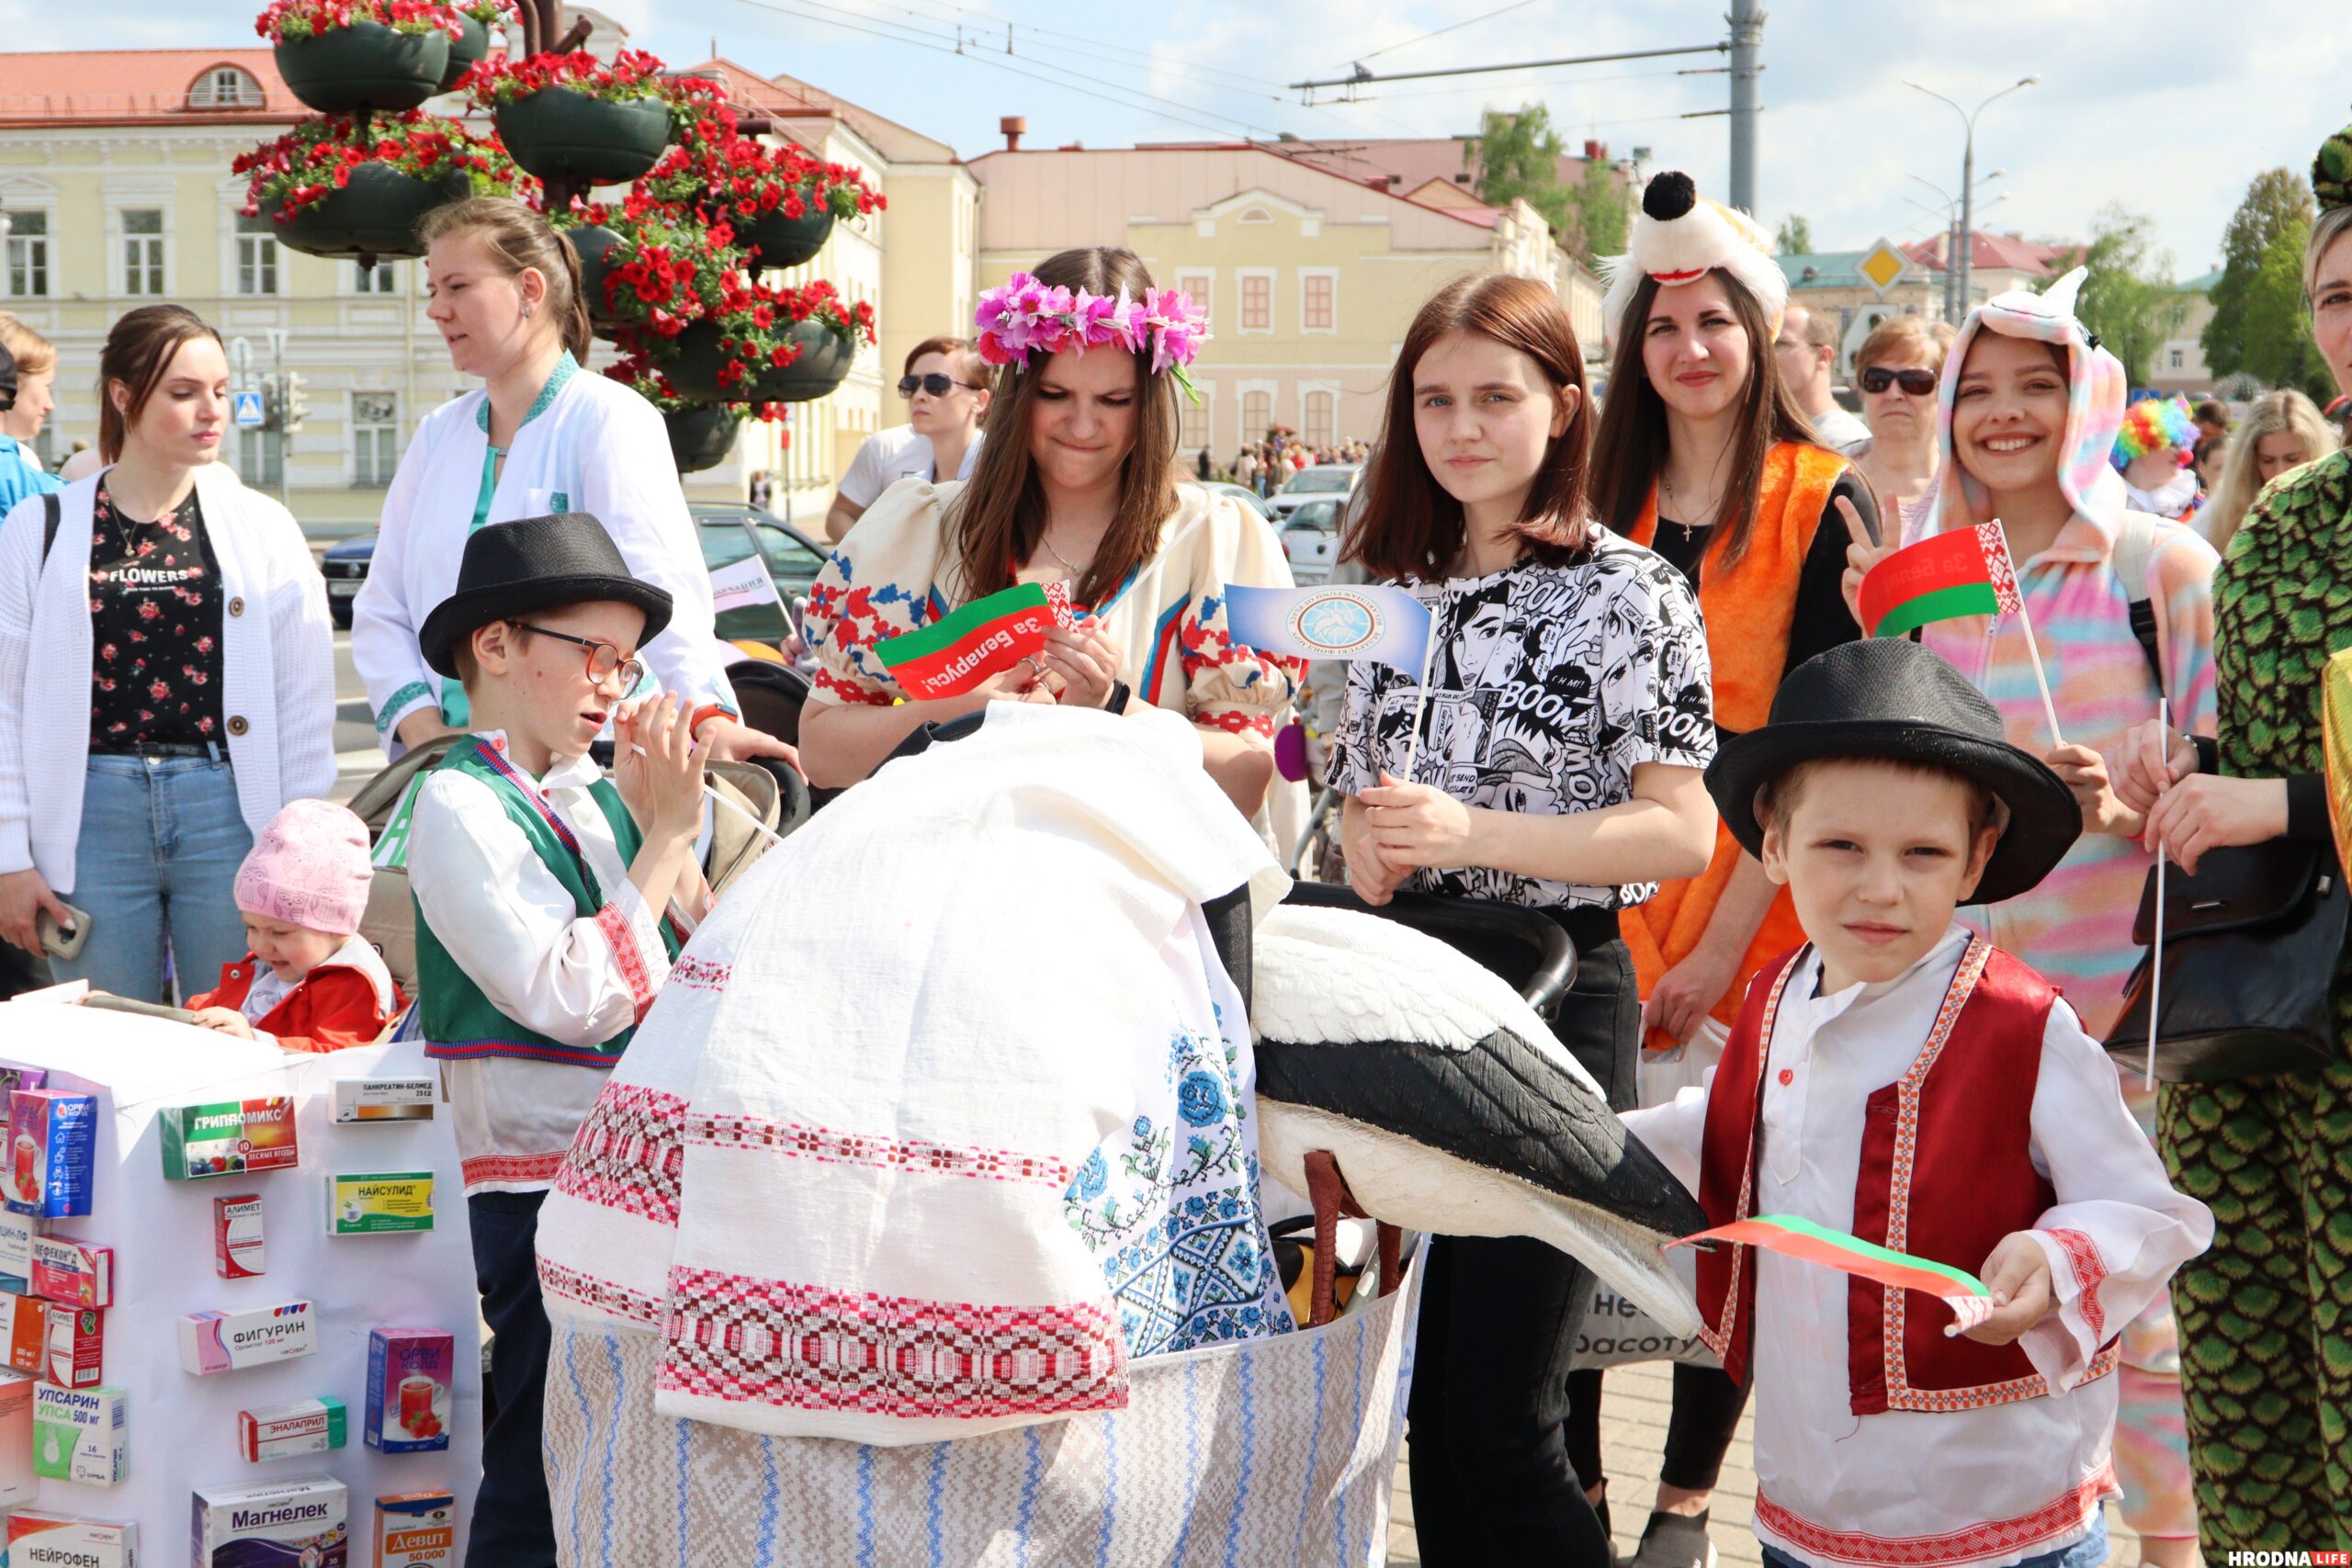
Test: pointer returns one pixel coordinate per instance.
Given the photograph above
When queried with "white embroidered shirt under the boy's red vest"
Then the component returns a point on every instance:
(1927, 1489)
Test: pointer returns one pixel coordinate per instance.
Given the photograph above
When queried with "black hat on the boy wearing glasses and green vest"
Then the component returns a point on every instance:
(516, 570)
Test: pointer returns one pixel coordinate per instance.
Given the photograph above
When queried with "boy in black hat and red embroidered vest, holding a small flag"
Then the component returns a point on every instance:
(1906, 1083)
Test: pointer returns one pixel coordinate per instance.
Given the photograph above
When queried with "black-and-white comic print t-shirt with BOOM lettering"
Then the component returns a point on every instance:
(1549, 688)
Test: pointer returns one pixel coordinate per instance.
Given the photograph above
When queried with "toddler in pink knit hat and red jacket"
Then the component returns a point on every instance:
(309, 984)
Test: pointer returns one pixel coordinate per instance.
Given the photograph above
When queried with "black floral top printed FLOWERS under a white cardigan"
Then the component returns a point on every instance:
(154, 629)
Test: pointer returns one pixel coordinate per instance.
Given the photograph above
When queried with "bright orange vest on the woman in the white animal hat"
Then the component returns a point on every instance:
(1749, 612)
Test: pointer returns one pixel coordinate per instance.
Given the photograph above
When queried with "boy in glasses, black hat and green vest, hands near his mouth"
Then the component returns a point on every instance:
(542, 937)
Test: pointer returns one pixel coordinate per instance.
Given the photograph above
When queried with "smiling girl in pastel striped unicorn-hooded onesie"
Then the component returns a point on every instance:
(2029, 417)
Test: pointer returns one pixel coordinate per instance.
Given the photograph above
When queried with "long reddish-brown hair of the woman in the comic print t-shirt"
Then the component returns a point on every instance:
(1408, 525)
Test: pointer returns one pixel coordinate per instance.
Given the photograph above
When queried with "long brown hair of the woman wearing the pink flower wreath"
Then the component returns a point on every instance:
(998, 518)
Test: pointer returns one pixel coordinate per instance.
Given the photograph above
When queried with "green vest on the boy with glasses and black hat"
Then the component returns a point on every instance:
(460, 1021)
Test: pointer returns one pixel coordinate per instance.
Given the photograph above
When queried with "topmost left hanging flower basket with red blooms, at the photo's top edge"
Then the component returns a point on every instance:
(349, 55)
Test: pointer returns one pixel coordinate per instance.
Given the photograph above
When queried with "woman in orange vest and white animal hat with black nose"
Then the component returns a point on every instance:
(1706, 460)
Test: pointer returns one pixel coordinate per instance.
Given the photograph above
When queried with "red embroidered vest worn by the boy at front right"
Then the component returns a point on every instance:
(1956, 1130)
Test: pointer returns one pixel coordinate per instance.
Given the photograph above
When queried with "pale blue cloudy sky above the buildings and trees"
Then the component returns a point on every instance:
(2167, 107)
